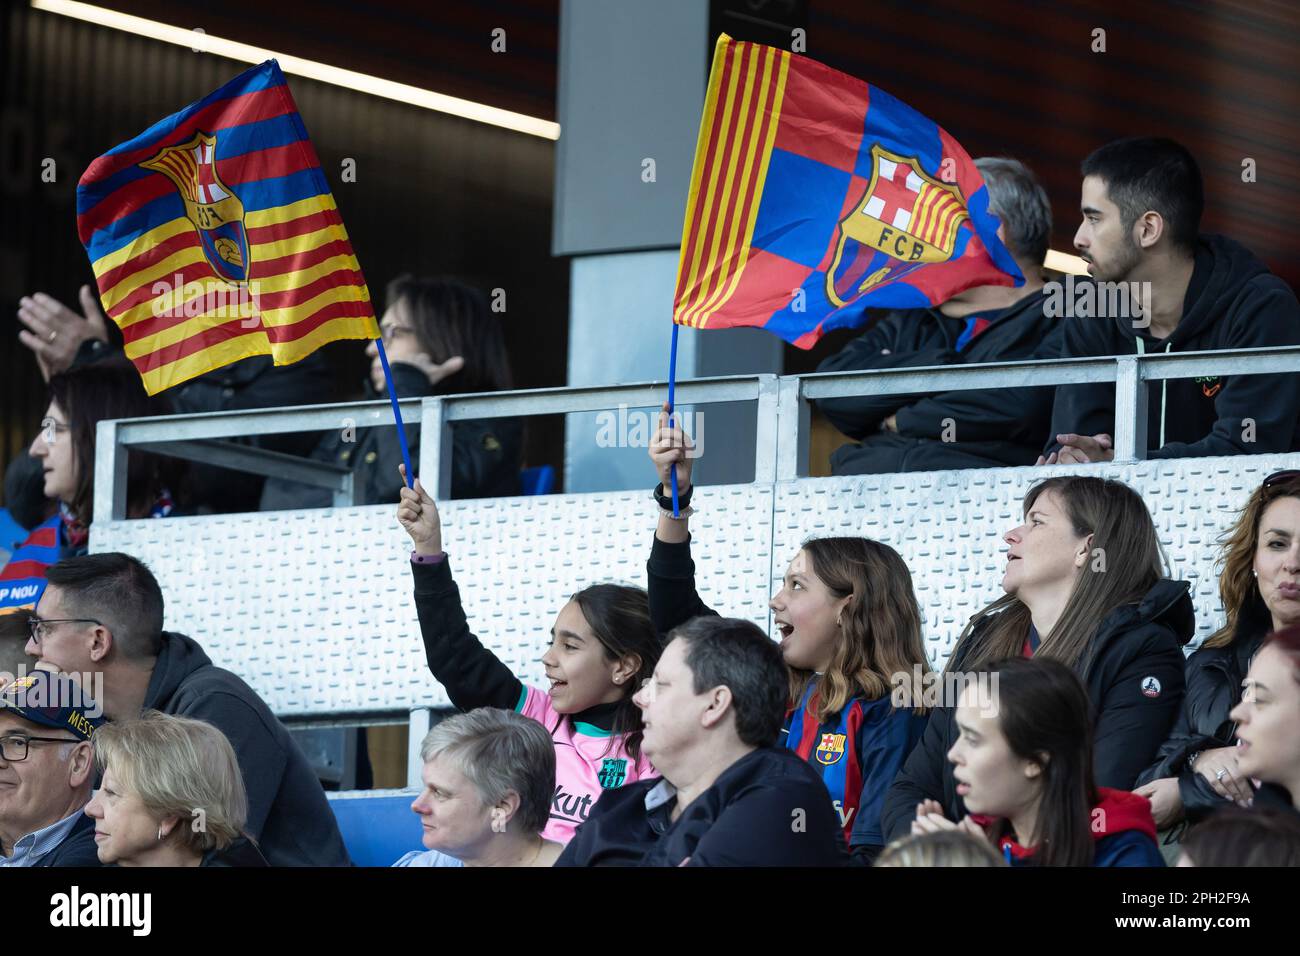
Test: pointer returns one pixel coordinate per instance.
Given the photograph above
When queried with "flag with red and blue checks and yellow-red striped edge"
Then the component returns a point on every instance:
(816, 196)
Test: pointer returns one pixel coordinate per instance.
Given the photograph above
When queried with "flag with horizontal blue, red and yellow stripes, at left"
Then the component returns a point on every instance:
(215, 237)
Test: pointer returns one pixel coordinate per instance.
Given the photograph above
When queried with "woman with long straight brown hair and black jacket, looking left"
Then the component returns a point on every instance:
(1084, 587)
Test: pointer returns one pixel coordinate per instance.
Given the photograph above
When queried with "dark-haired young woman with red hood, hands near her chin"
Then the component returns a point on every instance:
(1024, 765)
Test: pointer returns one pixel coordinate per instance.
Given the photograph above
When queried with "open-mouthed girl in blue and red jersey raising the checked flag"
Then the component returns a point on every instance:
(851, 637)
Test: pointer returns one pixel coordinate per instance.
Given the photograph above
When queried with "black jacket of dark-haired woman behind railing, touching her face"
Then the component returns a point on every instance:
(486, 457)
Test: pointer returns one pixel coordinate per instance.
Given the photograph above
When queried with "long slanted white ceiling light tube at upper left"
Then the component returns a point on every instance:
(324, 73)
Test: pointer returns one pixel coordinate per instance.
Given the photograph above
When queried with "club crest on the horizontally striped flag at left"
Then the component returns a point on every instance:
(210, 205)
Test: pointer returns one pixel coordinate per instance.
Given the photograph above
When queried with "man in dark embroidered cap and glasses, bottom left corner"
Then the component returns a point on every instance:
(47, 772)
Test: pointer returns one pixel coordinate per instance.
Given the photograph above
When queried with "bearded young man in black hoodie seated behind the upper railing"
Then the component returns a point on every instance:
(1142, 209)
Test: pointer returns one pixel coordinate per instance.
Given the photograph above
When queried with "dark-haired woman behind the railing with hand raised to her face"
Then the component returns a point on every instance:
(443, 339)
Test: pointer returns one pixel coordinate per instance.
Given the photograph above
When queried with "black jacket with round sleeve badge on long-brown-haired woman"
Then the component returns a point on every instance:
(1134, 643)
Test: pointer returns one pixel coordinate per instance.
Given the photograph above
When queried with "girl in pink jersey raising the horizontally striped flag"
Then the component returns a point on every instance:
(603, 648)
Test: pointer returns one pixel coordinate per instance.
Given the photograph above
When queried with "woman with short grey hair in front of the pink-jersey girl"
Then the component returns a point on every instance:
(489, 777)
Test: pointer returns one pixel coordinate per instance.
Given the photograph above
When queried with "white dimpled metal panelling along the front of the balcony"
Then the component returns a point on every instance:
(314, 608)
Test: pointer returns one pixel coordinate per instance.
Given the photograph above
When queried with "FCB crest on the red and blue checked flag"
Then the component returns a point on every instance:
(905, 219)
